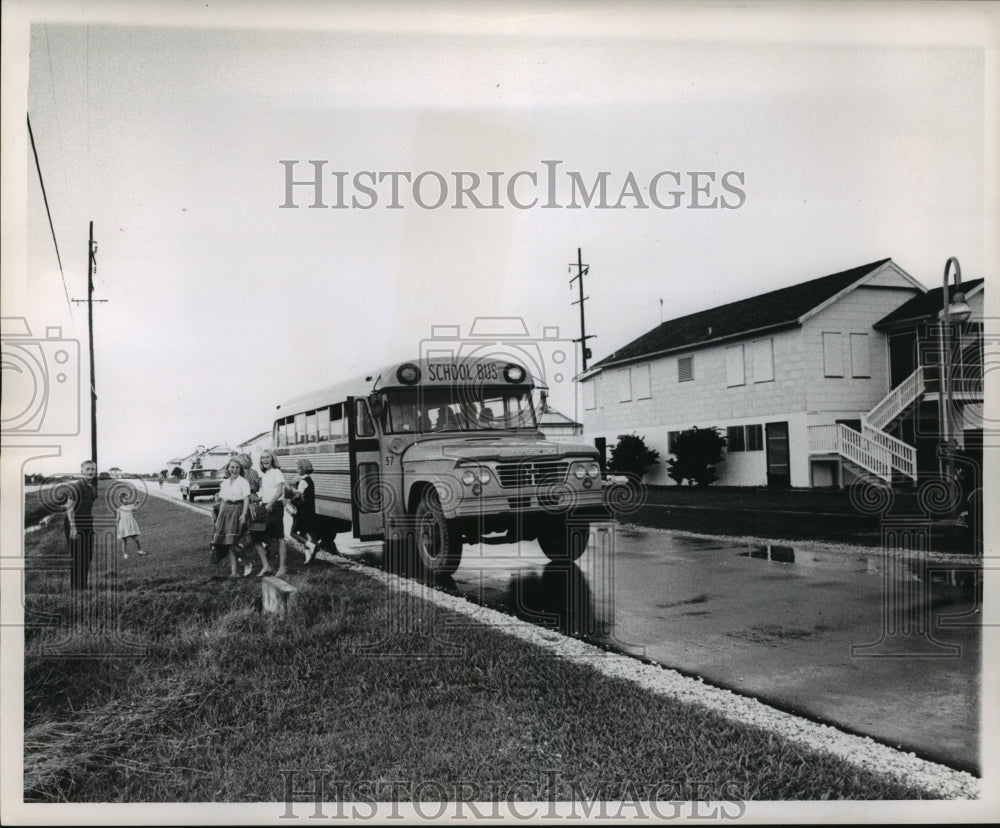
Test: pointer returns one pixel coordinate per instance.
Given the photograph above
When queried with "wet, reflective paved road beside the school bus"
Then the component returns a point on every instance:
(889, 651)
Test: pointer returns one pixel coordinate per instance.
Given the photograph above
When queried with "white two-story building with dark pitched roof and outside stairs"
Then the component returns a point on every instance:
(800, 380)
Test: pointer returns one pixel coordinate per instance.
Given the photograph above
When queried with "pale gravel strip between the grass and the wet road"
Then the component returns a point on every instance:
(939, 781)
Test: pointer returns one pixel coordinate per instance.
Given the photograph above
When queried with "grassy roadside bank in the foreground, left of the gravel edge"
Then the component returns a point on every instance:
(223, 699)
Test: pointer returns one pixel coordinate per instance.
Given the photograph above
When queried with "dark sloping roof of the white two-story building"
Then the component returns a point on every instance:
(777, 308)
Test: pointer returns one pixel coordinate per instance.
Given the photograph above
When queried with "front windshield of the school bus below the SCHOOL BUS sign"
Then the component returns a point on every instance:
(457, 408)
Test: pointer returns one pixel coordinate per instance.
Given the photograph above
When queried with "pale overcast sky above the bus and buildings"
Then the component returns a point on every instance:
(846, 134)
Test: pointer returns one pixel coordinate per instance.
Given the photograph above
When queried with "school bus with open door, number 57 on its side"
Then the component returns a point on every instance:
(448, 447)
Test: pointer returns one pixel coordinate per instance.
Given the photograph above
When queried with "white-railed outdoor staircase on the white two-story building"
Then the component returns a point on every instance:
(872, 448)
